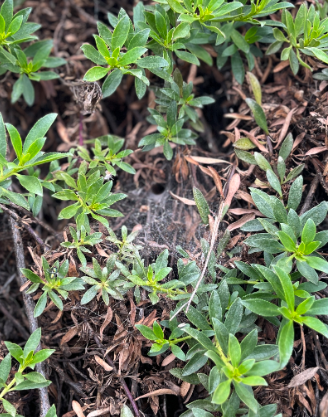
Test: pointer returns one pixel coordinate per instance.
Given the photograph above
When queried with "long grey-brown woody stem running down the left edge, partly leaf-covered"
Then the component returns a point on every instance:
(29, 308)
